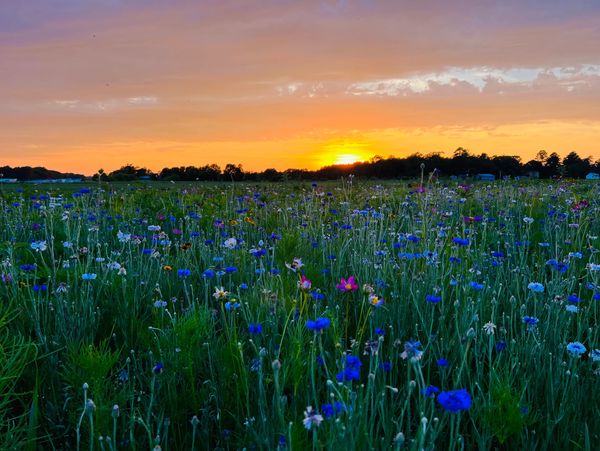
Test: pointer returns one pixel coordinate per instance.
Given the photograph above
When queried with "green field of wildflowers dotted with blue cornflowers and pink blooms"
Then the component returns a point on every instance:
(348, 315)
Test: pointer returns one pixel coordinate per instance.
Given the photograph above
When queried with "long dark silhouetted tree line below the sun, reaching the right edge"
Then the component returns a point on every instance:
(461, 164)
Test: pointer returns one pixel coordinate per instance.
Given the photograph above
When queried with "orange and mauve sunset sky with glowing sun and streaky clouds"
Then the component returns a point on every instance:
(89, 84)
